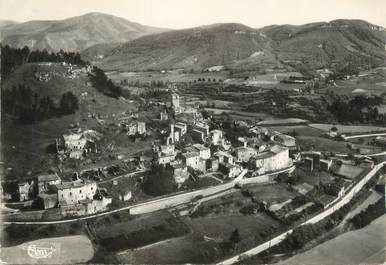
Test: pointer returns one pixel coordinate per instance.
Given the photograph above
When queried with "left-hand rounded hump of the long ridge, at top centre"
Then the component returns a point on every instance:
(201, 47)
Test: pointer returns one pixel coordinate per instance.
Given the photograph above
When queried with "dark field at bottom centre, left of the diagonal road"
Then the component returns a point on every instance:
(204, 244)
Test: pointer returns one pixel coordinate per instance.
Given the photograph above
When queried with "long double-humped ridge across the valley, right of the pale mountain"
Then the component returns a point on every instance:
(312, 45)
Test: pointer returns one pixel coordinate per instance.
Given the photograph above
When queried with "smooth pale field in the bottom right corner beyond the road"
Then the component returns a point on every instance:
(348, 248)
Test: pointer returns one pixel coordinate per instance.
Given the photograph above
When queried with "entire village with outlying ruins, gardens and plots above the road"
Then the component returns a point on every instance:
(193, 156)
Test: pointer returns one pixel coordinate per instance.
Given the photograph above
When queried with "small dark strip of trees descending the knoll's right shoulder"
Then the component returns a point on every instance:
(103, 84)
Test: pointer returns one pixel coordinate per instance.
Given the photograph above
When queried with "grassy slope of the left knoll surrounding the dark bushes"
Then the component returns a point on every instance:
(24, 146)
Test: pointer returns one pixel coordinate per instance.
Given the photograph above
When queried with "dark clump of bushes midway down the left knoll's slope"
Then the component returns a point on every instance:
(28, 107)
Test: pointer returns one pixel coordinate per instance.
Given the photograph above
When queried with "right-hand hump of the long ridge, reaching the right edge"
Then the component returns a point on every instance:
(320, 44)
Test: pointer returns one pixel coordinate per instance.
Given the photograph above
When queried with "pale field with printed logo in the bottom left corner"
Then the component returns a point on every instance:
(66, 250)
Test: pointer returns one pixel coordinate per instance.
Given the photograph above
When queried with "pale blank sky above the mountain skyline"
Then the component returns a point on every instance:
(189, 13)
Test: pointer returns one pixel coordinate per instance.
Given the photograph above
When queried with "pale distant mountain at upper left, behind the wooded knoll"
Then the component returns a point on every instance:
(73, 34)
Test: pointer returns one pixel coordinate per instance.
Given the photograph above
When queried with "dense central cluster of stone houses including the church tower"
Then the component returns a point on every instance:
(212, 152)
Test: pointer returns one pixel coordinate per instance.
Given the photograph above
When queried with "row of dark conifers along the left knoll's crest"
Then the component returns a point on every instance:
(11, 58)
